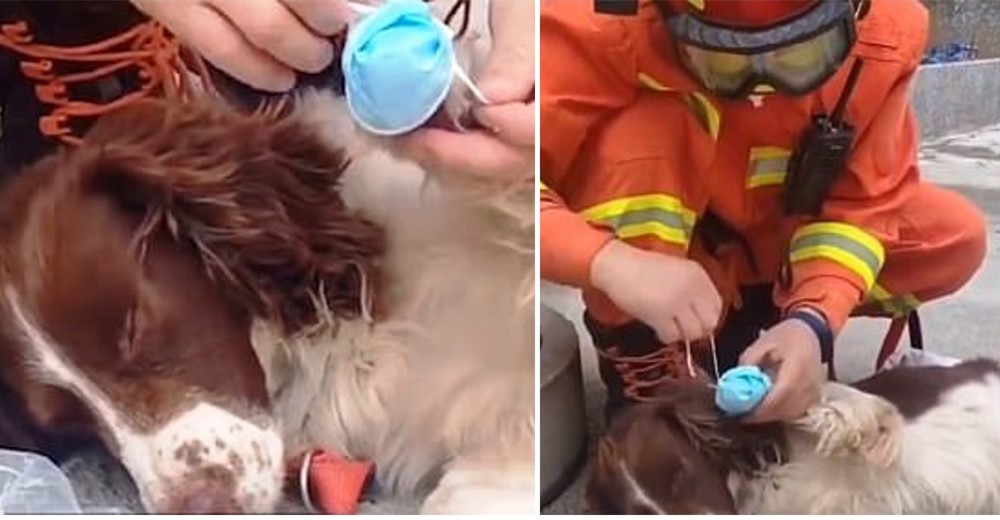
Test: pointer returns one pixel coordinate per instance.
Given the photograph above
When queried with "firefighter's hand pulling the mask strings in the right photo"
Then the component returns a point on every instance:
(674, 296)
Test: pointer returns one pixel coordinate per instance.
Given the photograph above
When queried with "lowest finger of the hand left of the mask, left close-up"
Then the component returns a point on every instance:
(223, 45)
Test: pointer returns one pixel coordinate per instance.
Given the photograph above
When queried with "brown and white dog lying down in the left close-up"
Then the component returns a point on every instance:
(391, 309)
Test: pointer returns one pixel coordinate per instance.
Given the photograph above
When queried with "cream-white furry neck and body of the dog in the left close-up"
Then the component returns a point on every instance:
(444, 381)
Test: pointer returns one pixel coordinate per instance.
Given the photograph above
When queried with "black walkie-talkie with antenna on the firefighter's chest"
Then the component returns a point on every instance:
(821, 155)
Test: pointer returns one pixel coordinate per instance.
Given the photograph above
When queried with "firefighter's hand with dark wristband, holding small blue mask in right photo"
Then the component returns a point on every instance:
(792, 351)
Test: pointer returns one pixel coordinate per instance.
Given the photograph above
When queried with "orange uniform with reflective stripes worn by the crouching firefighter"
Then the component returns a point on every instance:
(632, 148)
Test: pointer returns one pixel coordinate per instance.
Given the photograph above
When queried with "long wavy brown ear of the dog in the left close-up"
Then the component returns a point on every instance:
(256, 195)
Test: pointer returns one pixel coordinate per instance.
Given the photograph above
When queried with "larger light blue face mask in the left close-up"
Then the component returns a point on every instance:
(398, 64)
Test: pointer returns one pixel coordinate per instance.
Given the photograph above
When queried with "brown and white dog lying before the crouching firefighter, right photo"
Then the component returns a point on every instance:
(910, 440)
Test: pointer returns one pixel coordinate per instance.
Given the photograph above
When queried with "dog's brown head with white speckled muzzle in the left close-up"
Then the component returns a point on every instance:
(133, 266)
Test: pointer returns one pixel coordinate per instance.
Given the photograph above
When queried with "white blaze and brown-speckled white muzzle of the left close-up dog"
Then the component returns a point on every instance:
(153, 457)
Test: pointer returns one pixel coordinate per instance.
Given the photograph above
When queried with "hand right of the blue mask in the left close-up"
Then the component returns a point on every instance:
(505, 146)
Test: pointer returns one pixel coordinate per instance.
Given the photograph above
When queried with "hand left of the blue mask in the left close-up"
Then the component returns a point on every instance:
(261, 42)
